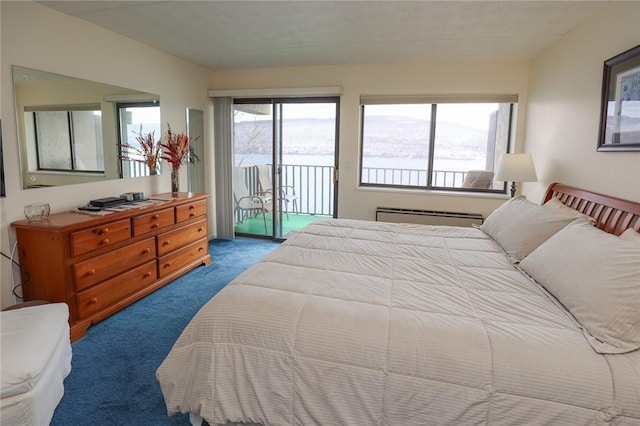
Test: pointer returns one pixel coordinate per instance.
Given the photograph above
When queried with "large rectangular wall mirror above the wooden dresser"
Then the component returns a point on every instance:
(73, 131)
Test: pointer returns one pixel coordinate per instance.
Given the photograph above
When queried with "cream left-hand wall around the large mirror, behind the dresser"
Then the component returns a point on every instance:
(38, 37)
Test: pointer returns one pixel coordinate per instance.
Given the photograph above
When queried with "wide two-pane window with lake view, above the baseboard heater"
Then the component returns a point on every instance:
(440, 143)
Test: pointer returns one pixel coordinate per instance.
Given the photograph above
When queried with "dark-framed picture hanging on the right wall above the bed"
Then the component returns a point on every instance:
(620, 108)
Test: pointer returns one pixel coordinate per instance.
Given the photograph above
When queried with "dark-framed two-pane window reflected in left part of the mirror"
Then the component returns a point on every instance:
(67, 140)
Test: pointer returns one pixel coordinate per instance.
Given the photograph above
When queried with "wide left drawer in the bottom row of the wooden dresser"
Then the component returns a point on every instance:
(108, 292)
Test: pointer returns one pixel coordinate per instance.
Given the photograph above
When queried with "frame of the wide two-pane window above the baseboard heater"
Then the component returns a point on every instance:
(434, 101)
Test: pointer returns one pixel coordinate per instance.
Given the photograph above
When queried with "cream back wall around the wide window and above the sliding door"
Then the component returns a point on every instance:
(423, 78)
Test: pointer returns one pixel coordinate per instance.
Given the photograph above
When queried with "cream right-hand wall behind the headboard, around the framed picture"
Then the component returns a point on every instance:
(564, 107)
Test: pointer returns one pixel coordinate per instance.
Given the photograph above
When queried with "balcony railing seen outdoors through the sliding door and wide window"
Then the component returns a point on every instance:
(315, 190)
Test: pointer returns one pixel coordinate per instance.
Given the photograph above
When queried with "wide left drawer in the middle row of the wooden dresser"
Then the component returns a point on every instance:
(99, 268)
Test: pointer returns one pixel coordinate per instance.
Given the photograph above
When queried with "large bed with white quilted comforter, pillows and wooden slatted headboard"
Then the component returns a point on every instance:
(533, 318)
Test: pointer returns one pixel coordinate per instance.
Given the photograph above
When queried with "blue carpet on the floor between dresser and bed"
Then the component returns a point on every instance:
(112, 381)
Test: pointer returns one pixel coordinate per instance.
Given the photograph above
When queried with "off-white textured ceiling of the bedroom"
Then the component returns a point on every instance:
(256, 34)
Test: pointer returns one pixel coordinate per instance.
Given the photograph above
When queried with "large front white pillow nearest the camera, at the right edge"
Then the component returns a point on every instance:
(596, 276)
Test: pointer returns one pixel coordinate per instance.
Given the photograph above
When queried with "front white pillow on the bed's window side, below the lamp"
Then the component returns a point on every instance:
(519, 226)
